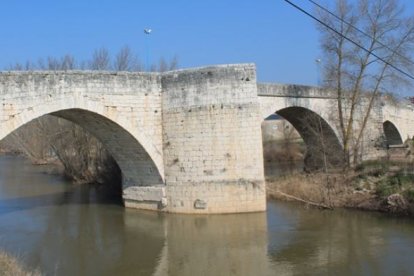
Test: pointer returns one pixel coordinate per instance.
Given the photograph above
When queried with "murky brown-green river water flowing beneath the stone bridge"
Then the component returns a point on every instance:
(63, 229)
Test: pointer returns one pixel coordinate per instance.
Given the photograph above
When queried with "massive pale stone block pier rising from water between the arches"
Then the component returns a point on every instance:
(212, 140)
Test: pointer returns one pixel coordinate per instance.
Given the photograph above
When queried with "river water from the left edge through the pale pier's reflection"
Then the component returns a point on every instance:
(73, 230)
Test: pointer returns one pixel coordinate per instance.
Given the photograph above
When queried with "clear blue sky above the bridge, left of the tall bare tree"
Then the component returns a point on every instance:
(281, 41)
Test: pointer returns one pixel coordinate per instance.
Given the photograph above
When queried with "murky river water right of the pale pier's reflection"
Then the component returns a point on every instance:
(340, 242)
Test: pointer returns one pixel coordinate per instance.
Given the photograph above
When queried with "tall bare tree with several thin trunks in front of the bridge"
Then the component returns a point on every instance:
(360, 74)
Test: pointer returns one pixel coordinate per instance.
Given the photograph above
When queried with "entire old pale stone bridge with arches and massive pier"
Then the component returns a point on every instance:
(186, 141)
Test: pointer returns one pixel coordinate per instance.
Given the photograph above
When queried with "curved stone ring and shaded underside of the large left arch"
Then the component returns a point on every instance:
(139, 160)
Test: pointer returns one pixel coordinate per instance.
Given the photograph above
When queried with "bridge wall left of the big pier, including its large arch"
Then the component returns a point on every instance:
(123, 110)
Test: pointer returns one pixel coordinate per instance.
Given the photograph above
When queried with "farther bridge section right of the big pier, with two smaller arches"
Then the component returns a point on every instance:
(390, 124)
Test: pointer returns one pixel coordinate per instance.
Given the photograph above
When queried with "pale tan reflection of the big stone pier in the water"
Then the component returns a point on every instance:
(217, 245)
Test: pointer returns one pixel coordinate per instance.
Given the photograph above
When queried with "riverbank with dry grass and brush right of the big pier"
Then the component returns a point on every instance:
(383, 187)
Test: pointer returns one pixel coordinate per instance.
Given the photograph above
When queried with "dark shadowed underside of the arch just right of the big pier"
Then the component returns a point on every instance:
(321, 141)
